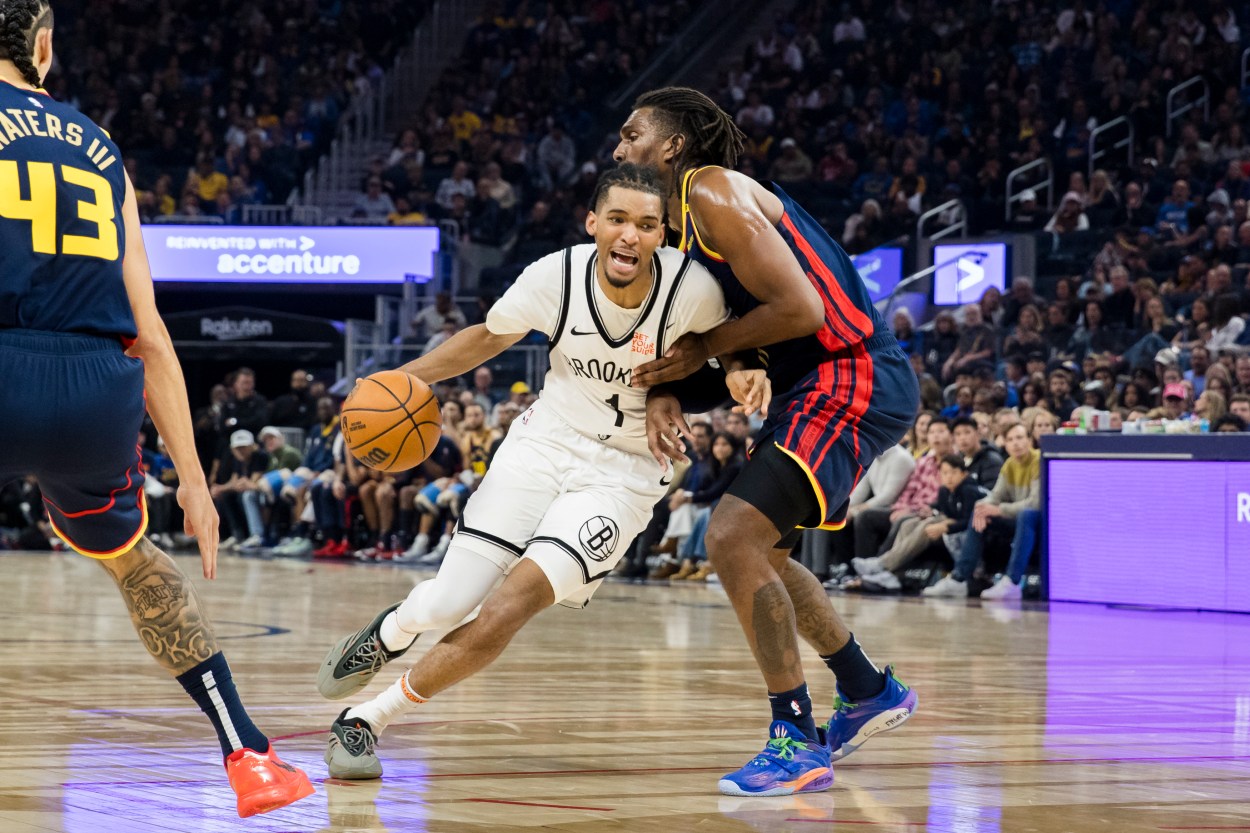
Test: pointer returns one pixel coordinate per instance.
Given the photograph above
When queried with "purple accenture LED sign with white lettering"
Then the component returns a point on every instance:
(292, 255)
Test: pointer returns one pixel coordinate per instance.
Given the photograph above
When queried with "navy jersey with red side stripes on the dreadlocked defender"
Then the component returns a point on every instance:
(851, 317)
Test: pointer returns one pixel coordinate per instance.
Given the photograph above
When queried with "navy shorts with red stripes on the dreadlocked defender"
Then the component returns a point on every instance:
(822, 435)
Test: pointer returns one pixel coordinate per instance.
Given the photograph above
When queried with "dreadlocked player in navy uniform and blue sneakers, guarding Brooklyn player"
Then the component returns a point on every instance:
(843, 393)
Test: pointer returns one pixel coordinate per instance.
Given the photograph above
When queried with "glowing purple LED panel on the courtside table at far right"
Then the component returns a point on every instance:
(1172, 533)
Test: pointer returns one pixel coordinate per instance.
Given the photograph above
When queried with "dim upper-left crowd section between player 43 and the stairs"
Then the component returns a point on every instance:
(222, 106)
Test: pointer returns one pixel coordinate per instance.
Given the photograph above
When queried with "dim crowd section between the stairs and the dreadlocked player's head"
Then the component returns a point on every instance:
(508, 144)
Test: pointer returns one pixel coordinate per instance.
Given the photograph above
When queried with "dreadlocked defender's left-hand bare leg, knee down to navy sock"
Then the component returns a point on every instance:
(739, 543)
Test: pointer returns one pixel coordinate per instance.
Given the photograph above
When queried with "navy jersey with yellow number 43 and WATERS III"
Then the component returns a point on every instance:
(62, 235)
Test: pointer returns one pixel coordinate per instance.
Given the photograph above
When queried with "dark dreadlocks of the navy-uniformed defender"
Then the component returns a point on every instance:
(712, 137)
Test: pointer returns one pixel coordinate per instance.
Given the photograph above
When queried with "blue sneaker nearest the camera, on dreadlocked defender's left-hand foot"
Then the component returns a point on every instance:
(791, 764)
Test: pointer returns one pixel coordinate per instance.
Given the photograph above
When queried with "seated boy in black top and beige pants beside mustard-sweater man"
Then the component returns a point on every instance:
(951, 518)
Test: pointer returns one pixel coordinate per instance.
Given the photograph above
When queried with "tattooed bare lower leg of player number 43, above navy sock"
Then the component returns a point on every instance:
(164, 607)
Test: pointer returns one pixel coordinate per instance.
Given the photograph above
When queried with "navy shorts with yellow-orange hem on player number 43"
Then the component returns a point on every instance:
(72, 407)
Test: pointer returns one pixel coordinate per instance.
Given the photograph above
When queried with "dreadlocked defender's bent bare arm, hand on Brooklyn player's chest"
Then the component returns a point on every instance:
(732, 222)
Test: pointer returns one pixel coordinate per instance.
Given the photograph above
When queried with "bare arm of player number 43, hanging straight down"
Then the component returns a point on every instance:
(166, 390)
